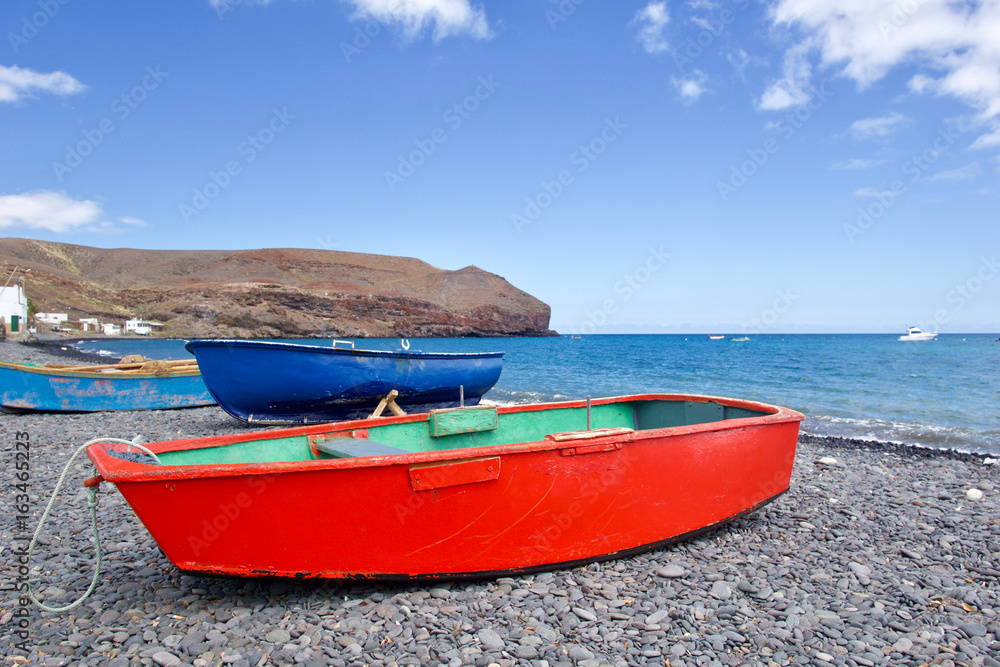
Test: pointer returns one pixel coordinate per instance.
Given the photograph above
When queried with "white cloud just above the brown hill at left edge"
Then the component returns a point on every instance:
(47, 209)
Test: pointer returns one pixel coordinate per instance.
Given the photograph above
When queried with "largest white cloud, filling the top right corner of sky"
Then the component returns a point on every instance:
(954, 43)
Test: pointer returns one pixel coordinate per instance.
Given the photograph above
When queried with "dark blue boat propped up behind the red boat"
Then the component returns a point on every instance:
(285, 383)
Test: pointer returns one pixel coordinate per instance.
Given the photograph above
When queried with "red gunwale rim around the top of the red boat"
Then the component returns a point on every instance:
(121, 471)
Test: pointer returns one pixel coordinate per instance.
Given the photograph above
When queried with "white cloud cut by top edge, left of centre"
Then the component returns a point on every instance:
(448, 17)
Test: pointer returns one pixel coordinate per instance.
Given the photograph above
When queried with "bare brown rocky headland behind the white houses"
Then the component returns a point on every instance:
(272, 292)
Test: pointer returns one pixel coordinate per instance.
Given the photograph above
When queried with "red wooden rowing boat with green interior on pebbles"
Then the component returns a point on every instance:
(467, 492)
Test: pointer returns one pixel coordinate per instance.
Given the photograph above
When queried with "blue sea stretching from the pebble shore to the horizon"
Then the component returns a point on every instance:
(941, 394)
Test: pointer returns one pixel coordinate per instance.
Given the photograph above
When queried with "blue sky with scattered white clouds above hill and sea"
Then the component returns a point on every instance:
(794, 165)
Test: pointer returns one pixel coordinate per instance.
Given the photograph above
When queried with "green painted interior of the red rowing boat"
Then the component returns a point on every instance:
(462, 428)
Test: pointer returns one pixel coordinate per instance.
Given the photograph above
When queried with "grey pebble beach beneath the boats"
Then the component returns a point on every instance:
(879, 554)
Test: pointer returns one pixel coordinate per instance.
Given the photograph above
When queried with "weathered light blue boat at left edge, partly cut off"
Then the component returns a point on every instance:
(140, 385)
